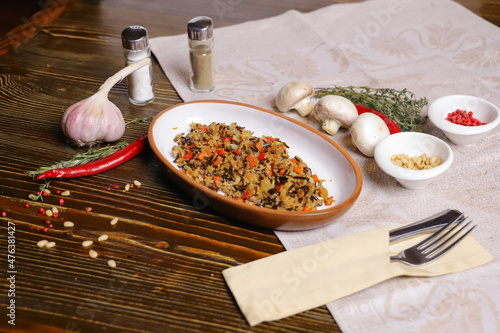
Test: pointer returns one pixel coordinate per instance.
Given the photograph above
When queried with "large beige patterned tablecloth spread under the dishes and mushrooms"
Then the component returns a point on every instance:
(431, 47)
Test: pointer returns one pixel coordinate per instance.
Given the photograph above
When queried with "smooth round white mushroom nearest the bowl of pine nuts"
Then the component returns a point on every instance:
(367, 131)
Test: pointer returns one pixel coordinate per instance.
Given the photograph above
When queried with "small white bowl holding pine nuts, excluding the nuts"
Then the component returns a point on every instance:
(412, 144)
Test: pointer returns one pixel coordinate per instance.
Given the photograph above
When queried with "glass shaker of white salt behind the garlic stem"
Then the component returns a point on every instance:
(136, 47)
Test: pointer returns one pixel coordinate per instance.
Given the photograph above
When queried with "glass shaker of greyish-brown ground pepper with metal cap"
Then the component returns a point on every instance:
(201, 42)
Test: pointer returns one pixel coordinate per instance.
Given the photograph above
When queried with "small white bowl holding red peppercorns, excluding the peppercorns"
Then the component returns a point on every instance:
(483, 110)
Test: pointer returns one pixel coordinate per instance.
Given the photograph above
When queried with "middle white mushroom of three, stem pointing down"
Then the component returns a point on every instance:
(335, 112)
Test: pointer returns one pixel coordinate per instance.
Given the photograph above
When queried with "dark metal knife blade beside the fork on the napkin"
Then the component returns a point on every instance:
(429, 223)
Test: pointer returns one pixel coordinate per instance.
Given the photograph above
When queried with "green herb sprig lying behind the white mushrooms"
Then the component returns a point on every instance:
(401, 106)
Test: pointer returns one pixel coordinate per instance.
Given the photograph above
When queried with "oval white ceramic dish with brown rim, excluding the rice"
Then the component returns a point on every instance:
(325, 158)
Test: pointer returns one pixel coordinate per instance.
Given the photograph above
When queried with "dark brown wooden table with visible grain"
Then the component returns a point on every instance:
(169, 253)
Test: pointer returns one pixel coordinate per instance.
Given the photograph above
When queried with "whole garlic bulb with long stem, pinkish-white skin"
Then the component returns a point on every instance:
(97, 119)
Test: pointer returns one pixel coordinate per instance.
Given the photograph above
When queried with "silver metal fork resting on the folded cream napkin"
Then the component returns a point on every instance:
(437, 244)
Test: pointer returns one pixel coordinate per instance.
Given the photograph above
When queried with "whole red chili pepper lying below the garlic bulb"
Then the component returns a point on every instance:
(104, 164)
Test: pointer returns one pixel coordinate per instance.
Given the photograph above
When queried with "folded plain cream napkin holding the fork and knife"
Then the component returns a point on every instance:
(294, 281)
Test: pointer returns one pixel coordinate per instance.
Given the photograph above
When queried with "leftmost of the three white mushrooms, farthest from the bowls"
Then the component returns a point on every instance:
(295, 95)
